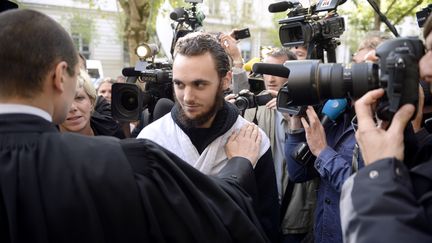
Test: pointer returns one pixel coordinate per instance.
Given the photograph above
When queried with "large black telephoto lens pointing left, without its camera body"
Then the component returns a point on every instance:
(311, 82)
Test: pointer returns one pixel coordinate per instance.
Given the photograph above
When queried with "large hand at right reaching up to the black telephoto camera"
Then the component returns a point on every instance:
(375, 142)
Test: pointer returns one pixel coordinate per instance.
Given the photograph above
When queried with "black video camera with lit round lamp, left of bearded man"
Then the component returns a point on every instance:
(128, 100)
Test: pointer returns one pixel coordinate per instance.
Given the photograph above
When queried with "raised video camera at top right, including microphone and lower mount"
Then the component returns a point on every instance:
(308, 27)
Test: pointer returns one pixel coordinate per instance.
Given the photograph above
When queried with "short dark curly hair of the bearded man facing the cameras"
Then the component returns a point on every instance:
(198, 43)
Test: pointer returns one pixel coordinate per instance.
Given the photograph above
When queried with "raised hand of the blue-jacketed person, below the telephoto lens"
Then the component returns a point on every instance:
(315, 134)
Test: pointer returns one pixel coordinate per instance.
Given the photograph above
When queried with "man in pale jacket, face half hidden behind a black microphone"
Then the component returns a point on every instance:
(297, 199)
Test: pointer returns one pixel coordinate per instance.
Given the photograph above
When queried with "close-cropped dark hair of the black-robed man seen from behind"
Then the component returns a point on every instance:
(31, 44)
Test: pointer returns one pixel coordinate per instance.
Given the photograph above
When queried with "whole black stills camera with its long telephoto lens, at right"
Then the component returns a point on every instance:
(311, 82)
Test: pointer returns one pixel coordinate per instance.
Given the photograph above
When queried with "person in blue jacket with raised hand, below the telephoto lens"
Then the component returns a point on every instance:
(333, 147)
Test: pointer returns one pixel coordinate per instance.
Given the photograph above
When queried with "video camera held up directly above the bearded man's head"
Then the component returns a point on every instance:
(188, 20)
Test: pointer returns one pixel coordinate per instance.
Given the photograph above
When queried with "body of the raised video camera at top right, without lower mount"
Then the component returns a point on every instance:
(304, 26)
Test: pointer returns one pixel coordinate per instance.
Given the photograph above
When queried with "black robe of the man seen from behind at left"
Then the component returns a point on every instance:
(64, 187)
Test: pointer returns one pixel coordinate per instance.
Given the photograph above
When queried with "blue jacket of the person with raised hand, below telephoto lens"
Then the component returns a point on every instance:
(333, 166)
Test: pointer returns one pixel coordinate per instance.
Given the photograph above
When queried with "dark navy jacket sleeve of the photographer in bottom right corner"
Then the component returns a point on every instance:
(385, 202)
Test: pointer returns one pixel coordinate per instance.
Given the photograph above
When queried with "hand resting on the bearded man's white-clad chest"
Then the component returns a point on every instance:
(244, 143)
